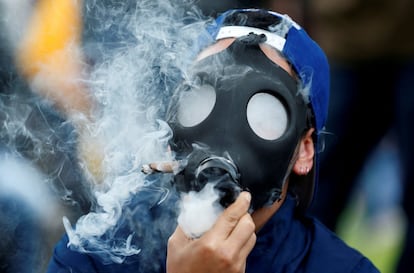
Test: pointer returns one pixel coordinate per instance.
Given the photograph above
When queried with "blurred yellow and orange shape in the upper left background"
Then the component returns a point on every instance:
(49, 54)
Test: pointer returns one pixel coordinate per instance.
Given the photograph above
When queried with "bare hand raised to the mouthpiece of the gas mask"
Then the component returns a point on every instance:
(223, 248)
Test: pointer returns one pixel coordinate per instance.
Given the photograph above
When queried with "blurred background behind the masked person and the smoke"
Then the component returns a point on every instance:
(365, 171)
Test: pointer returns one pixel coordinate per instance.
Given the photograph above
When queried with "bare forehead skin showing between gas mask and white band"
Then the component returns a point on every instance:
(270, 52)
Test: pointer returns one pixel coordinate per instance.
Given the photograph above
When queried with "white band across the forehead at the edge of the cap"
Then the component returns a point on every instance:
(273, 39)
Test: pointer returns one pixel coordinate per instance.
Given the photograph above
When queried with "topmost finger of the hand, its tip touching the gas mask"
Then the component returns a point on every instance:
(232, 215)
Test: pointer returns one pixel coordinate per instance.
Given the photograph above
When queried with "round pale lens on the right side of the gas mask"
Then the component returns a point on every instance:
(267, 116)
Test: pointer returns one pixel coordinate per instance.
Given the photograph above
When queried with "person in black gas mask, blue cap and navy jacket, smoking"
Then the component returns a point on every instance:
(261, 91)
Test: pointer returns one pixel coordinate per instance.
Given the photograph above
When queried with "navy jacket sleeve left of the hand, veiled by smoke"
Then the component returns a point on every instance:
(149, 218)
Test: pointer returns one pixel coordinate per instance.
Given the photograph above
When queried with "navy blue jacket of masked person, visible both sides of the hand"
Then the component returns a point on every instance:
(285, 244)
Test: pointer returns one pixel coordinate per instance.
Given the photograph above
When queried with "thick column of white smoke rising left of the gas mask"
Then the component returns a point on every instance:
(132, 78)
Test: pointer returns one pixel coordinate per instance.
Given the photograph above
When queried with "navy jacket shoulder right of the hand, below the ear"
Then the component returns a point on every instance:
(300, 244)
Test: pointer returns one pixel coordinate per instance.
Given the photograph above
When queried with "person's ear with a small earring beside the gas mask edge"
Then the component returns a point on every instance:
(304, 161)
